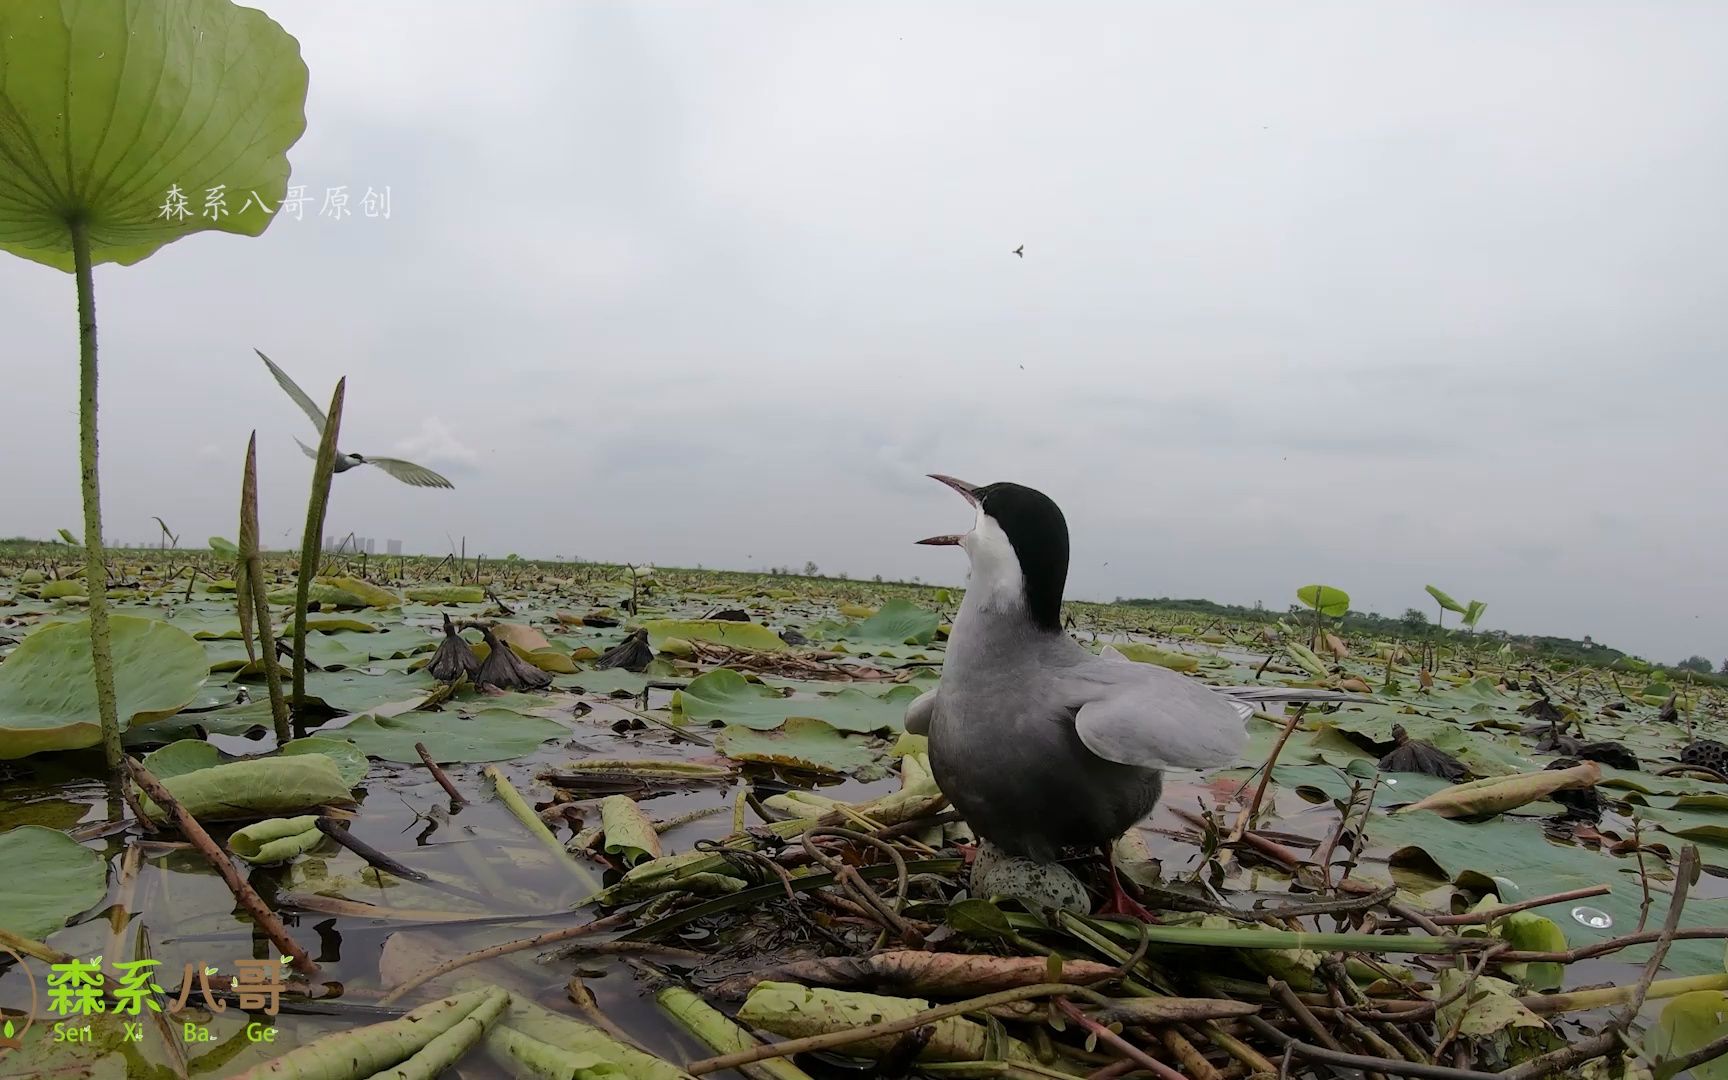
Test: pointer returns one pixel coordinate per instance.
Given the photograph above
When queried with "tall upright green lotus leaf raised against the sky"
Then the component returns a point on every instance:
(106, 108)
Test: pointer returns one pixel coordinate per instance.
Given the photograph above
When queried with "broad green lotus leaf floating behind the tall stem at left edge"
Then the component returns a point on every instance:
(48, 685)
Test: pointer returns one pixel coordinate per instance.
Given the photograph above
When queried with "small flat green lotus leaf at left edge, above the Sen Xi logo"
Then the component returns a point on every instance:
(49, 877)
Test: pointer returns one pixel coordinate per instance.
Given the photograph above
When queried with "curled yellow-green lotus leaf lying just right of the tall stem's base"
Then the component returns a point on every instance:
(258, 787)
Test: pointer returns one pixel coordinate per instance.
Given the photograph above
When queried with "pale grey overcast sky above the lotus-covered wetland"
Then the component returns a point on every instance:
(1350, 293)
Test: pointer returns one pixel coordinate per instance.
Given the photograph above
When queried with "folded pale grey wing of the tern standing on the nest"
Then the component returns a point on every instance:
(1159, 720)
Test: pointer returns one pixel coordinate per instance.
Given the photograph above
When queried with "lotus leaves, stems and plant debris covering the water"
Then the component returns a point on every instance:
(613, 844)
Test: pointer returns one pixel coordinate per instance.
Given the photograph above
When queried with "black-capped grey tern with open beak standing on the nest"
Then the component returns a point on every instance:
(1041, 744)
